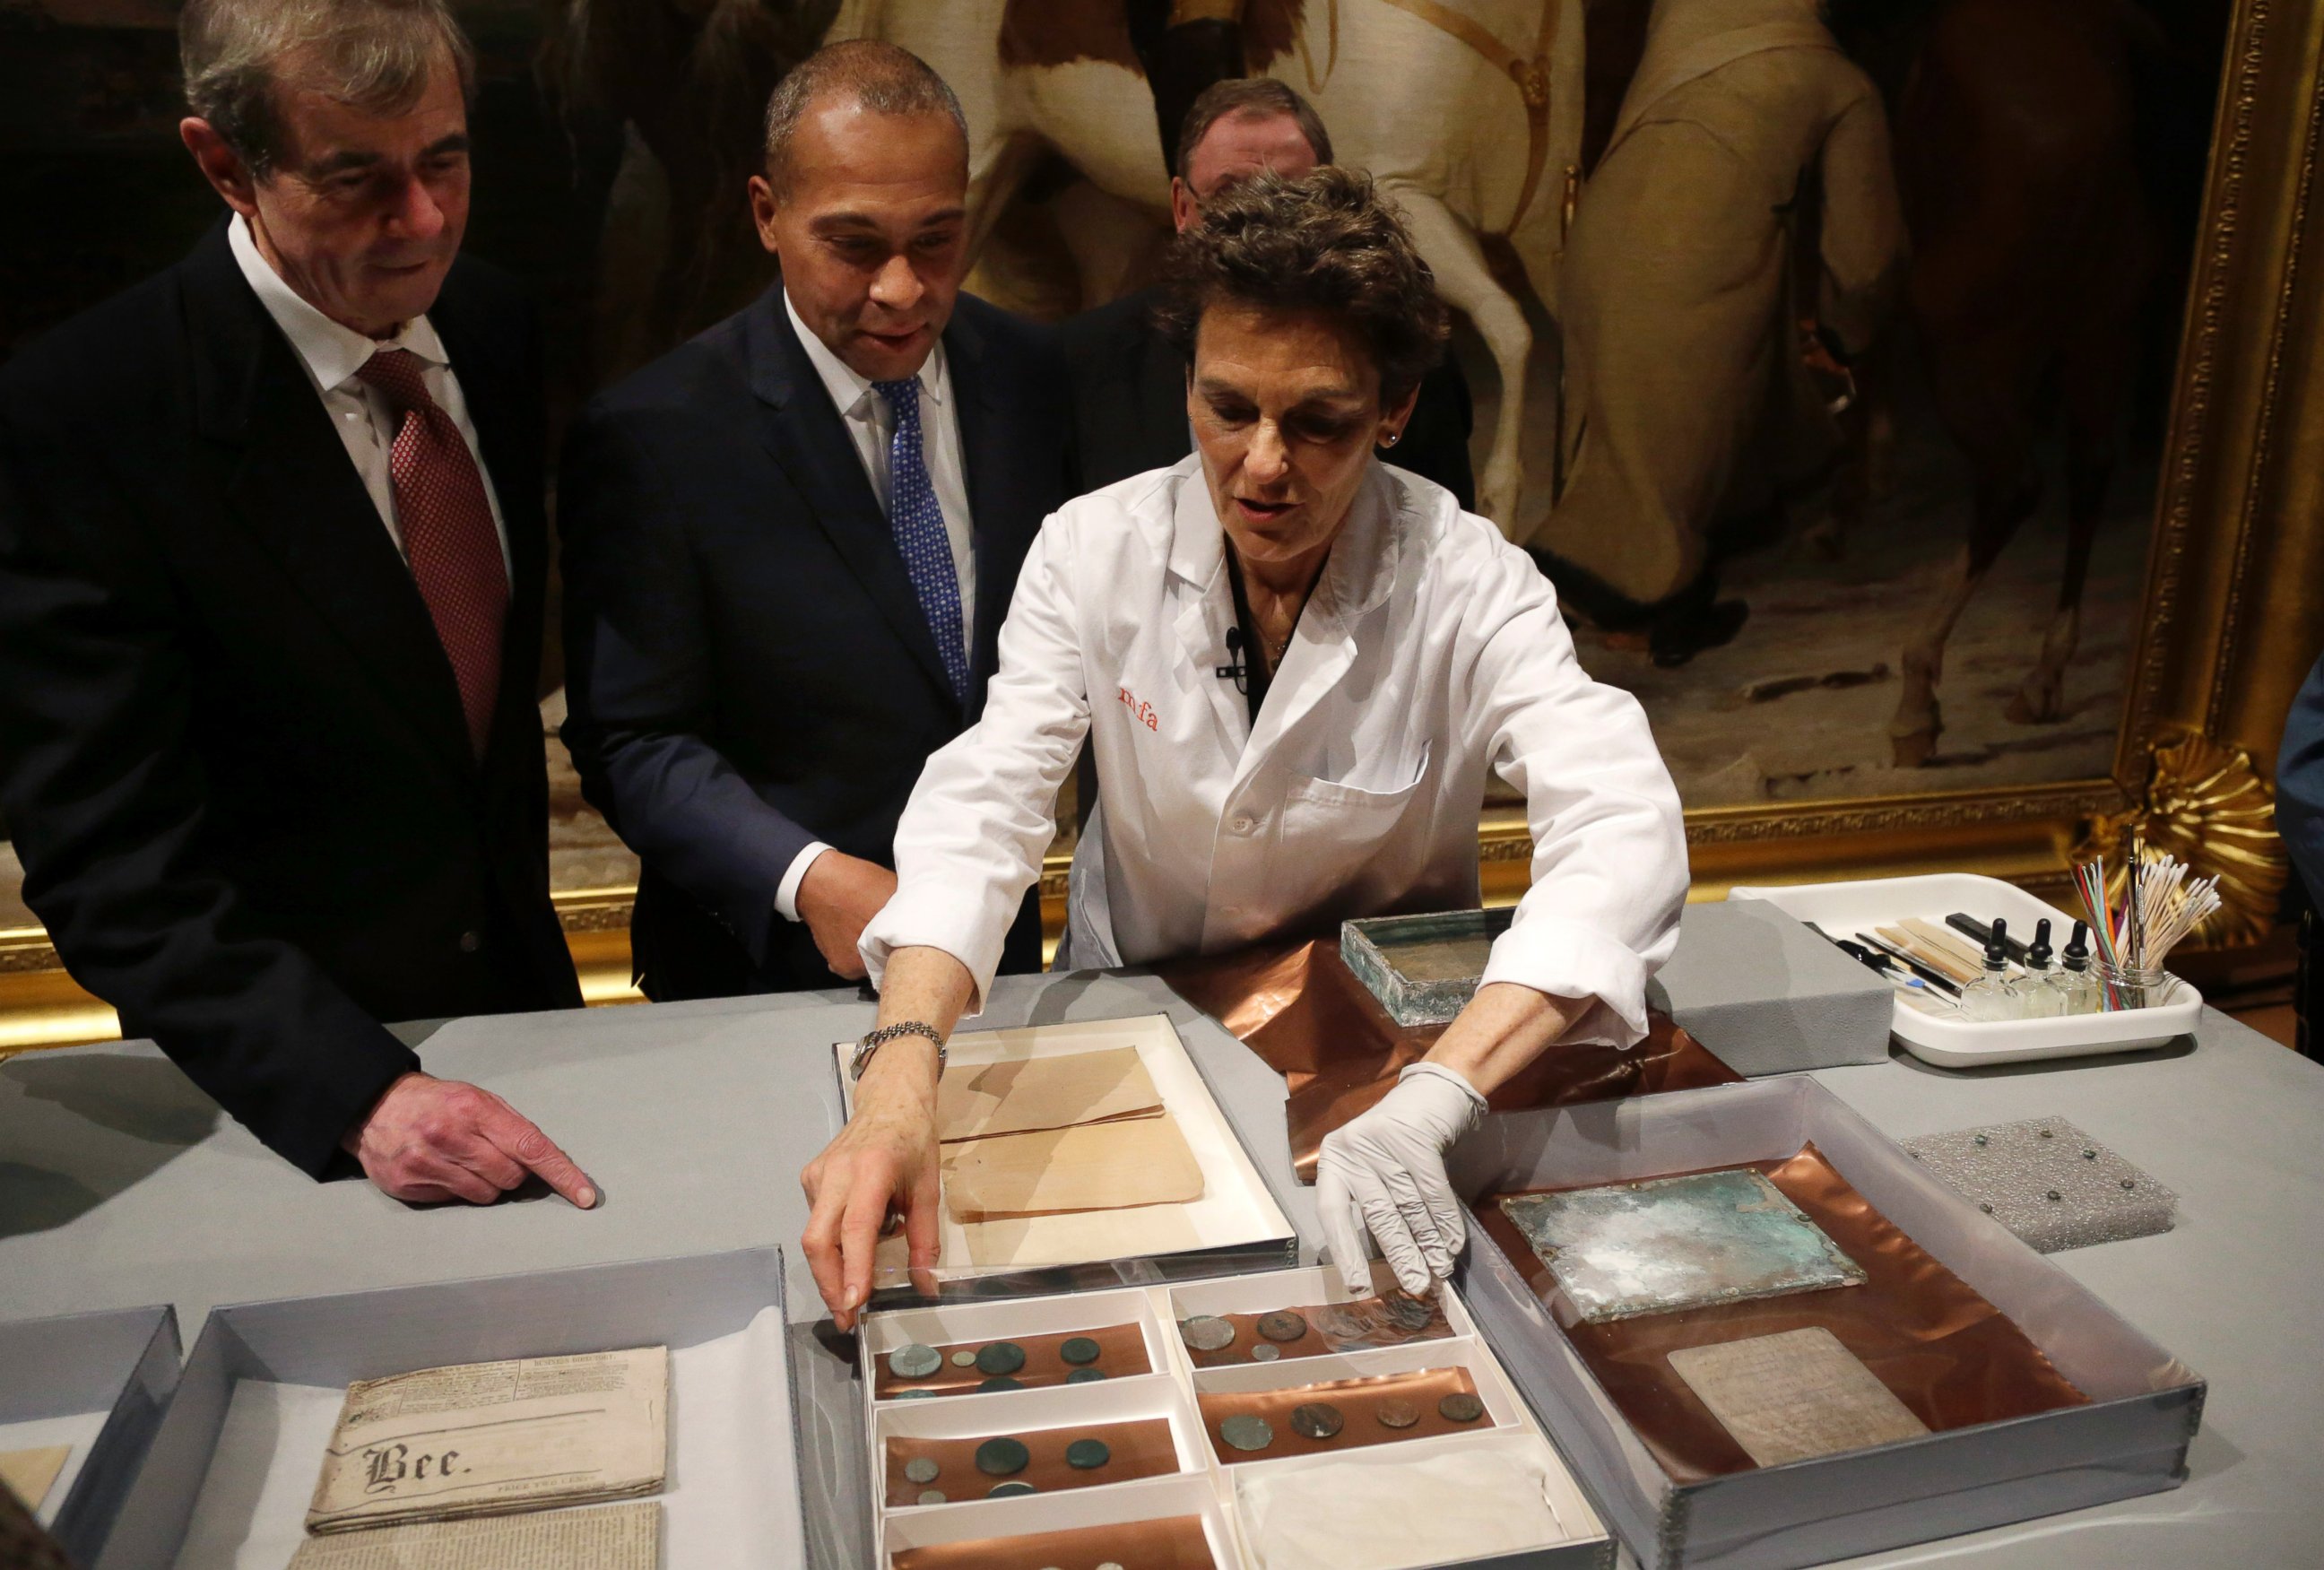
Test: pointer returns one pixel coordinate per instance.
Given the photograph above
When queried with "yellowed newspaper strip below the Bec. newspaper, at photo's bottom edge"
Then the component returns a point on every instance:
(612, 1539)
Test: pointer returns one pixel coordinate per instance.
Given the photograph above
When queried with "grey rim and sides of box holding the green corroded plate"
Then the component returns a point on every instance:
(2132, 1439)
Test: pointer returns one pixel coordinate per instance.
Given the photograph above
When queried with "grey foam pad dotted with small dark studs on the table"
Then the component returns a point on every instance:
(2049, 1183)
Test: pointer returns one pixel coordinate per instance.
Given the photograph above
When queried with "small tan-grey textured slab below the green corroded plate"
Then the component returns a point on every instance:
(1795, 1395)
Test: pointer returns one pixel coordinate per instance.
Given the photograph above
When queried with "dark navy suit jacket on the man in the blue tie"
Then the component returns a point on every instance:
(747, 663)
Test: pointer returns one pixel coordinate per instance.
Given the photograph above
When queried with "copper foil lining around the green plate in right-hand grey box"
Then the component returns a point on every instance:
(1944, 1351)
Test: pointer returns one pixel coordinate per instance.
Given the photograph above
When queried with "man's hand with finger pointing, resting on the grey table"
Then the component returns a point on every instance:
(440, 1139)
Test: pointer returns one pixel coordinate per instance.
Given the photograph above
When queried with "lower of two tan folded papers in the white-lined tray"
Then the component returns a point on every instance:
(1096, 1167)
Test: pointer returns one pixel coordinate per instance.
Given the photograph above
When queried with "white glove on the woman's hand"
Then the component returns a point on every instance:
(1386, 1172)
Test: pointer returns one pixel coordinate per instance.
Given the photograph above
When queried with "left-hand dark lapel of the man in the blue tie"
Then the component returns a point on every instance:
(808, 438)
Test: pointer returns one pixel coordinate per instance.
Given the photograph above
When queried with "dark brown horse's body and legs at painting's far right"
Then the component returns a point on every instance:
(2018, 257)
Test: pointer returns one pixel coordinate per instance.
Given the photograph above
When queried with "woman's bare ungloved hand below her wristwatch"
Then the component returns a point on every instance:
(884, 1160)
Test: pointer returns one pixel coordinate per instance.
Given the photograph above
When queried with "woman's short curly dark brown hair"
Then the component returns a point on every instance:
(1324, 243)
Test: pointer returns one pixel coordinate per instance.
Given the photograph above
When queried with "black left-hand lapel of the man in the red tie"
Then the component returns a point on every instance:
(294, 489)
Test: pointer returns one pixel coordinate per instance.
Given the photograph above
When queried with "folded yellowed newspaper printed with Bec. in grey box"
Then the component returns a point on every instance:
(494, 1439)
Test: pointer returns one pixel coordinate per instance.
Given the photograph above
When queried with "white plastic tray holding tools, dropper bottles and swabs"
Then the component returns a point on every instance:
(1958, 1044)
